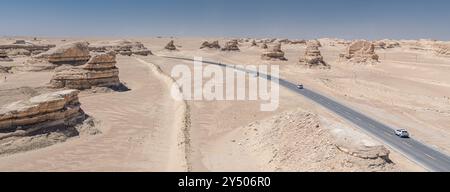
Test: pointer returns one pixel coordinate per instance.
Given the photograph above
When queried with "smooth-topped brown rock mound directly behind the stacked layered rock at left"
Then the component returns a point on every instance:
(73, 53)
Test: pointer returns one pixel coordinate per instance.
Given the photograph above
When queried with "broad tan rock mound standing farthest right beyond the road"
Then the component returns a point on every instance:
(361, 52)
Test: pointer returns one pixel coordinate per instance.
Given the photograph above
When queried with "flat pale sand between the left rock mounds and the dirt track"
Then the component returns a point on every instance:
(138, 131)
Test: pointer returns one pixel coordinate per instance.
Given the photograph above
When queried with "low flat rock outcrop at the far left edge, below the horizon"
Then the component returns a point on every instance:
(24, 48)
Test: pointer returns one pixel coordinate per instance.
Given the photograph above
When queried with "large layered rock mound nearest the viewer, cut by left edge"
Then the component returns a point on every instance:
(42, 121)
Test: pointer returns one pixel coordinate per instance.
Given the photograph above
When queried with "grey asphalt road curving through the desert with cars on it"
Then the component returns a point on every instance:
(426, 156)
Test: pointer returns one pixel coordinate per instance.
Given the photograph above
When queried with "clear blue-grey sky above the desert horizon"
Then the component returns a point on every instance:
(350, 19)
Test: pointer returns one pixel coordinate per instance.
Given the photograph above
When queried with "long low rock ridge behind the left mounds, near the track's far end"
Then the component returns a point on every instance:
(121, 47)
